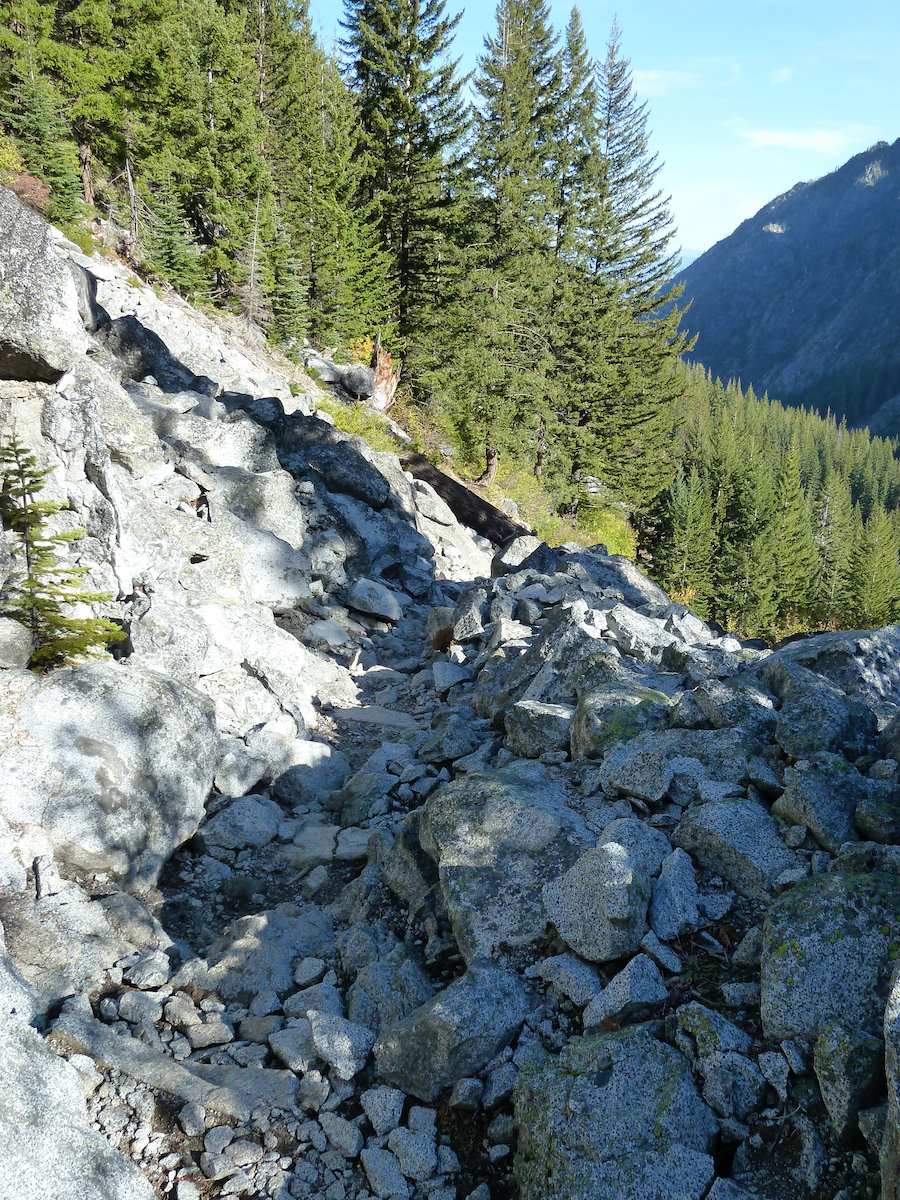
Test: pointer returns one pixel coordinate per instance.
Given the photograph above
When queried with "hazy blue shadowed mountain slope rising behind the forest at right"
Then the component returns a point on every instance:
(803, 299)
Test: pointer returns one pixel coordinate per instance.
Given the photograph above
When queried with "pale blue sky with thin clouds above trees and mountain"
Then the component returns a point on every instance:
(747, 98)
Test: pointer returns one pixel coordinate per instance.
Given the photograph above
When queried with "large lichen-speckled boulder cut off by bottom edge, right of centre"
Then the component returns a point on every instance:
(614, 1115)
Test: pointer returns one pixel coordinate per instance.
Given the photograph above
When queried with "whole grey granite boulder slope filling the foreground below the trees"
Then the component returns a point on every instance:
(387, 863)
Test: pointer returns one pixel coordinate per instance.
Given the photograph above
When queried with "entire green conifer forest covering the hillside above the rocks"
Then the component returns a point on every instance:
(505, 236)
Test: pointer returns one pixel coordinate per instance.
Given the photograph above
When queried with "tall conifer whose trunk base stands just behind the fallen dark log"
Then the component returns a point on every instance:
(495, 382)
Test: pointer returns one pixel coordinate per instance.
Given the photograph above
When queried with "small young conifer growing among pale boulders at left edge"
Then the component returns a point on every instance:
(43, 590)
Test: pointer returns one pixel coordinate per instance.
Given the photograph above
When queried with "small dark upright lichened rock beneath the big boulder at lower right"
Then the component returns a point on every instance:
(849, 1066)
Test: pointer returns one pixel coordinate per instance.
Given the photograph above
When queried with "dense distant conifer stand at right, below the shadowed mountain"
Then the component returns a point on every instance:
(778, 519)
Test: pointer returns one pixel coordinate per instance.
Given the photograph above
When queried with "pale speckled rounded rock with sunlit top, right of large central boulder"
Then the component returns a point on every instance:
(599, 905)
